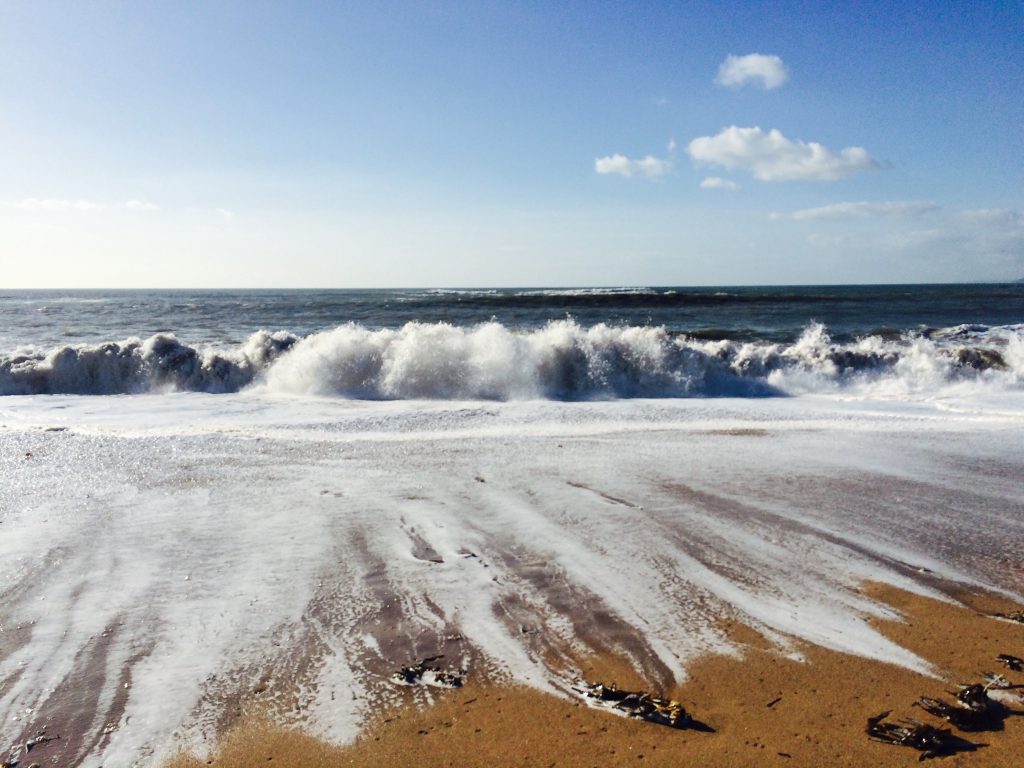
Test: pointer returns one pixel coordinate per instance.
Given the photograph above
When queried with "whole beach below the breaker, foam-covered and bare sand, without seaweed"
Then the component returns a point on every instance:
(719, 553)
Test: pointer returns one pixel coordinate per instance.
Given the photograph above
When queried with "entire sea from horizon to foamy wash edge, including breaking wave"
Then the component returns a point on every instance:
(209, 493)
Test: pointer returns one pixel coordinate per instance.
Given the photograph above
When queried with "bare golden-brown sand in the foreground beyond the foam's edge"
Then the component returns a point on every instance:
(765, 709)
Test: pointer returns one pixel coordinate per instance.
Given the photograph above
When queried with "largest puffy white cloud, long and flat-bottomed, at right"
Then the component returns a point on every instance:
(772, 157)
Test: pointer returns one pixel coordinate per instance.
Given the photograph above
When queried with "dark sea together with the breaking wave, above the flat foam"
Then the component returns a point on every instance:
(562, 344)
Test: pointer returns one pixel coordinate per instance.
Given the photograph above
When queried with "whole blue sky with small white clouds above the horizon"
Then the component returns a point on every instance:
(305, 145)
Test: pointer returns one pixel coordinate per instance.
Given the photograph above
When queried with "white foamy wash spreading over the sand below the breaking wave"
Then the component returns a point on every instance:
(168, 559)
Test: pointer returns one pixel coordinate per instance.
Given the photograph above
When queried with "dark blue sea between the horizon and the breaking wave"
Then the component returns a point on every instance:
(775, 314)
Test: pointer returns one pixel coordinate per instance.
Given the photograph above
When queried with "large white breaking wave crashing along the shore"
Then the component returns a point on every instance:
(562, 361)
